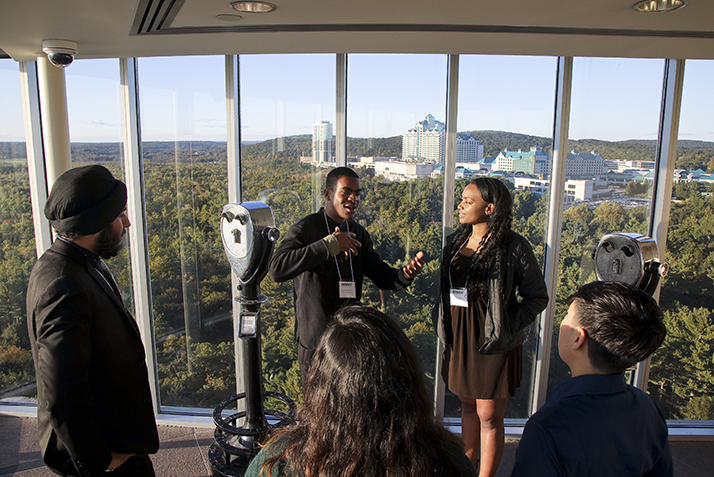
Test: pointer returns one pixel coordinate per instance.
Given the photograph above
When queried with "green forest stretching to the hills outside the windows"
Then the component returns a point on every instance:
(186, 187)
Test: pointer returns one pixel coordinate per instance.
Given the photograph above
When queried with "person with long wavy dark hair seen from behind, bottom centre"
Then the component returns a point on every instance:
(366, 412)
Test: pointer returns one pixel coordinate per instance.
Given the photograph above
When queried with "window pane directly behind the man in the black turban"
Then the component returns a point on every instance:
(95, 125)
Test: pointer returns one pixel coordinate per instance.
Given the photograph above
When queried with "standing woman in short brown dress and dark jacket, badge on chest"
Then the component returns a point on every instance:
(491, 289)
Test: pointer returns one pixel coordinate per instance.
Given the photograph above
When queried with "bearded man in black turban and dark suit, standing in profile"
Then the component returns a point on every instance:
(94, 412)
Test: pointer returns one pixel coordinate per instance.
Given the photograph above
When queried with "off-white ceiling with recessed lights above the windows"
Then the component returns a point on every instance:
(114, 28)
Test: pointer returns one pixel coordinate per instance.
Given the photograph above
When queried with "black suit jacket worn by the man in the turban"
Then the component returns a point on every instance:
(92, 381)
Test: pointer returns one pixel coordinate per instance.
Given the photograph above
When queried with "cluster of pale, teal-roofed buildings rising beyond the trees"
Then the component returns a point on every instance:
(588, 176)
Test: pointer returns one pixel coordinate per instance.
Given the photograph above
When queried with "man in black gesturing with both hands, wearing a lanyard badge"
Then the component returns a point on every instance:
(327, 255)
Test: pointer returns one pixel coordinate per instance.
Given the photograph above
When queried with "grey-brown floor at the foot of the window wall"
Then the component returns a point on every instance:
(184, 452)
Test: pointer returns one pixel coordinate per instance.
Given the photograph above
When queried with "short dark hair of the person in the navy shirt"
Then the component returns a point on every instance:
(623, 324)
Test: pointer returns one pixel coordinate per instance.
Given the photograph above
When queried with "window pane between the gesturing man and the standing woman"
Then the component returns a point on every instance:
(392, 99)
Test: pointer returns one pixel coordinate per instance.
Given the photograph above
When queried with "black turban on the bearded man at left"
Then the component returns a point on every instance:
(85, 200)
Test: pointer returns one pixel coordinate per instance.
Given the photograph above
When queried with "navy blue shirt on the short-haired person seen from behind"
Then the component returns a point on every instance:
(595, 425)
